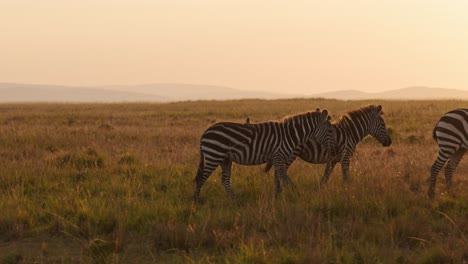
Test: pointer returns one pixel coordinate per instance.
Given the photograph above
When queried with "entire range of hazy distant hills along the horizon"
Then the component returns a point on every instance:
(170, 92)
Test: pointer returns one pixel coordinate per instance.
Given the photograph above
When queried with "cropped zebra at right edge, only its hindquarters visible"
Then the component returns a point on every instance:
(451, 135)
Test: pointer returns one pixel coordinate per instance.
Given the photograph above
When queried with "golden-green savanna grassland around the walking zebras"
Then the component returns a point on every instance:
(112, 183)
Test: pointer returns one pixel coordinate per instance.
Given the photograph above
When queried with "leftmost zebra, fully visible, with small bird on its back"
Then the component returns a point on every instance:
(254, 144)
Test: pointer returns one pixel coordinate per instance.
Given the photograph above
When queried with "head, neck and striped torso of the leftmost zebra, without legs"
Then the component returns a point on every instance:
(256, 143)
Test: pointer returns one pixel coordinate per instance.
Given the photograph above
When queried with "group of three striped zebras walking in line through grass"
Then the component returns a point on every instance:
(312, 137)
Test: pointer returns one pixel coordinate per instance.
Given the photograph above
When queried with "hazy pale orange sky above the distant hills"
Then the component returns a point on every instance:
(279, 46)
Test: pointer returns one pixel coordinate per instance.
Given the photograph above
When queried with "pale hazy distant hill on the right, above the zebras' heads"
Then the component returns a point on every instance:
(409, 93)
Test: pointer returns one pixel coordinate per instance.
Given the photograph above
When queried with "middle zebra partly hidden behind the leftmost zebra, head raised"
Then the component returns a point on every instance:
(347, 133)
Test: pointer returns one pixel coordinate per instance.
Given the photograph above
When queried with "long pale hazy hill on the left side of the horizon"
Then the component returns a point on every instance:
(15, 92)
